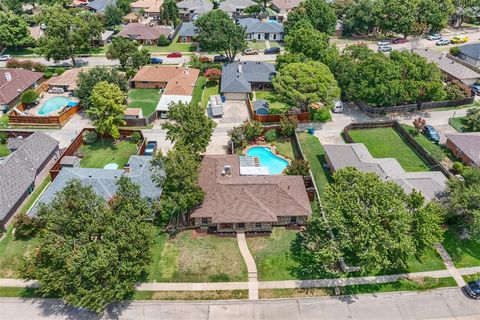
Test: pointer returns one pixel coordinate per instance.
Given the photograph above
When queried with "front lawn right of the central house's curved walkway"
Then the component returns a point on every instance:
(272, 254)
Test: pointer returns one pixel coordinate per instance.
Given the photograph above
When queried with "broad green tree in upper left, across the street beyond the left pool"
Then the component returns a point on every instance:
(67, 33)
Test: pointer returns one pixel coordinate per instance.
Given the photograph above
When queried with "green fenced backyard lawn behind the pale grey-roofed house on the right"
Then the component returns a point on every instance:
(387, 143)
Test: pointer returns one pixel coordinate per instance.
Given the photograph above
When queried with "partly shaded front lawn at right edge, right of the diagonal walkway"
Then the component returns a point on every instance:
(464, 253)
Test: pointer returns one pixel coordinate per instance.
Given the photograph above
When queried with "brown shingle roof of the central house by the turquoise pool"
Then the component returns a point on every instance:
(237, 199)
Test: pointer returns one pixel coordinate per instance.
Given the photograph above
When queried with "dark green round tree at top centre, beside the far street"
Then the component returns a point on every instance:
(218, 33)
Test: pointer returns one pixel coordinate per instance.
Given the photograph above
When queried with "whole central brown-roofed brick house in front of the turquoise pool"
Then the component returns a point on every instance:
(236, 201)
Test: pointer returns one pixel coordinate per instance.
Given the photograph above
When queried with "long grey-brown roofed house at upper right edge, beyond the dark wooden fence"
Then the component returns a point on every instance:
(453, 70)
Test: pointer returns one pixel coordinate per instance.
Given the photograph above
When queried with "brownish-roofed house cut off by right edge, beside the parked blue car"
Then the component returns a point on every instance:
(466, 147)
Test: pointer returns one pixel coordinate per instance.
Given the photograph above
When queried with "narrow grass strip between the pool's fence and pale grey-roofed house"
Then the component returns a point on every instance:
(315, 155)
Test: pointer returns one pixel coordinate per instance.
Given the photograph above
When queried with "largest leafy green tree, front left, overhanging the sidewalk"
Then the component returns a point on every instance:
(91, 253)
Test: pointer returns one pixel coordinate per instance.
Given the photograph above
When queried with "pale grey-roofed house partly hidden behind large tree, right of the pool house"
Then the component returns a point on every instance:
(430, 183)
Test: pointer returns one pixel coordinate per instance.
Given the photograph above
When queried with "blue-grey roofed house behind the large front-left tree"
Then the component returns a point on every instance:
(103, 181)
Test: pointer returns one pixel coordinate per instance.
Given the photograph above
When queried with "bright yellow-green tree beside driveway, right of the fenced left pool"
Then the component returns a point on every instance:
(107, 104)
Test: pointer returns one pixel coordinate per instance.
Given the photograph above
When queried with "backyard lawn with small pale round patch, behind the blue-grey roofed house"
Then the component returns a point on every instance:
(100, 153)
